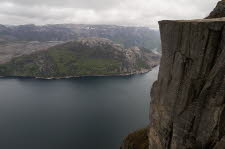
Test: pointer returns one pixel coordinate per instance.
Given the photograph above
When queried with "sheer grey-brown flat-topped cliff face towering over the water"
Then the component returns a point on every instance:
(188, 99)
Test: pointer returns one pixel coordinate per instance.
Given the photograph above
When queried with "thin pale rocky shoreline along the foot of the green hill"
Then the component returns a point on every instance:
(81, 76)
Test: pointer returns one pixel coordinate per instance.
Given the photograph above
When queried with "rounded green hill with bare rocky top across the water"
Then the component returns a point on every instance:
(85, 57)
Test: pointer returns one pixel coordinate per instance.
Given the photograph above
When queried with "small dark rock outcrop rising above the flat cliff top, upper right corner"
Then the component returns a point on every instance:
(219, 11)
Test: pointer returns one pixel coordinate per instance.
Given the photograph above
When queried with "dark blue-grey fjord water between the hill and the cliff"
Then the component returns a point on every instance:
(81, 113)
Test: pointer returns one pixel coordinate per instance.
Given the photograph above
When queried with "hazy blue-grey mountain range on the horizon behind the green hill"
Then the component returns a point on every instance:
(141, 37)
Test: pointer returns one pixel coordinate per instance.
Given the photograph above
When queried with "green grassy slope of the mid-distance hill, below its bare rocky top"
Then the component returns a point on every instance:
(58, 63)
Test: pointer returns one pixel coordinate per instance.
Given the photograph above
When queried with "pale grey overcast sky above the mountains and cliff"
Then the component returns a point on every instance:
(118, 12)
